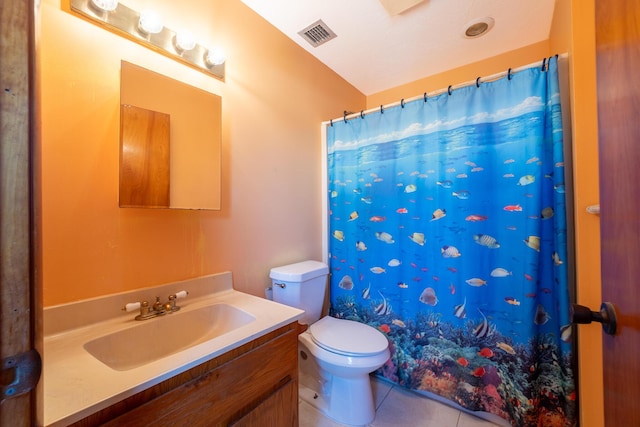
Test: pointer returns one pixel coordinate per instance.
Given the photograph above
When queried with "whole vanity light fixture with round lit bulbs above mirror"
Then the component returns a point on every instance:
(146, 28)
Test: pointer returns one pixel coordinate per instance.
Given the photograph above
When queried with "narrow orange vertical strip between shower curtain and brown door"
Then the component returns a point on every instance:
(584, 116)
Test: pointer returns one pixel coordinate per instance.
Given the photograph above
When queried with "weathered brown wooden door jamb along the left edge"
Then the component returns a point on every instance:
(16, 335)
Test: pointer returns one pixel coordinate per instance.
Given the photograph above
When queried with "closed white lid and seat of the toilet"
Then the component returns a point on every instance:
(347, 337)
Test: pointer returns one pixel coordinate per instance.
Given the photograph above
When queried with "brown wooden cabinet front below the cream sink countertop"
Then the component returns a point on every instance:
(253, 385)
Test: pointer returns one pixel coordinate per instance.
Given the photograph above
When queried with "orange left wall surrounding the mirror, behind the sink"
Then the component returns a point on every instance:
(273, 100)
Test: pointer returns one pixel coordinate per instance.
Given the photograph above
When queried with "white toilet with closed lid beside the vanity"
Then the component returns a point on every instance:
(335, 356)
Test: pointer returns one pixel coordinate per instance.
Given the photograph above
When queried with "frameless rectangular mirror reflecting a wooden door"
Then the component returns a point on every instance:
(170, 136)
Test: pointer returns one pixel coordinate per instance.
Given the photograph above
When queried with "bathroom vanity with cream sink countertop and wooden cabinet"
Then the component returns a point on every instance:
(247, 375)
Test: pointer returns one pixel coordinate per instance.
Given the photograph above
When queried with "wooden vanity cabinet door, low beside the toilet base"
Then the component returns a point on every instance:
(278, 410)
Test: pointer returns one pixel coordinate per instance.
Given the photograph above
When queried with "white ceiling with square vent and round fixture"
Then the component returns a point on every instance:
(375, 51)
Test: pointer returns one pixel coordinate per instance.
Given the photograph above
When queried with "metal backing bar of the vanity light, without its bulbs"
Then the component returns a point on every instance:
(125, 21)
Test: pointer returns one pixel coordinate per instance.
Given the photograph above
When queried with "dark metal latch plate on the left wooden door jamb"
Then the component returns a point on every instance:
(20, 374)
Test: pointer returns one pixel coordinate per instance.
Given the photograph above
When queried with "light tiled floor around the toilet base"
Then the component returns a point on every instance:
(397, 407)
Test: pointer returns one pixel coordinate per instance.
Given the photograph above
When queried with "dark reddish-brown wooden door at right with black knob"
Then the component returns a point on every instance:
(618, 74)
